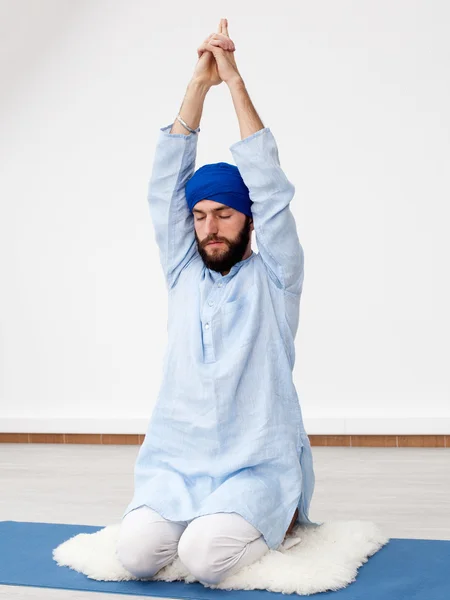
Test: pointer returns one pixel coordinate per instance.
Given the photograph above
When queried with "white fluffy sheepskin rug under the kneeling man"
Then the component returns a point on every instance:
(311, 559)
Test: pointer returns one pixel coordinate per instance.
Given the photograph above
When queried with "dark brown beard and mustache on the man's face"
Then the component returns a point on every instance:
(223, 257)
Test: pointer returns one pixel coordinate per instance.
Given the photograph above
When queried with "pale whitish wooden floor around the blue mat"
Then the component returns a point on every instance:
(406, 491)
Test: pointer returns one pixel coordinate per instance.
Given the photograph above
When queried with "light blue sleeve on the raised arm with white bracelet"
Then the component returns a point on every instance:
(174, 164)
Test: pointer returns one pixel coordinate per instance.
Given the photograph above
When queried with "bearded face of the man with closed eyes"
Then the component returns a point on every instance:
(217, 222)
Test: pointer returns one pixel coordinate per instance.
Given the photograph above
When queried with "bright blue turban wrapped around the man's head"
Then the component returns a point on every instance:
(220, 182)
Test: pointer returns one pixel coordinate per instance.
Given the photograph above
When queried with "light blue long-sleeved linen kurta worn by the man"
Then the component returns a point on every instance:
(226, 433)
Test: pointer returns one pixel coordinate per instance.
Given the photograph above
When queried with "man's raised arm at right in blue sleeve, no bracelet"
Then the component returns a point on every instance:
(256, 157)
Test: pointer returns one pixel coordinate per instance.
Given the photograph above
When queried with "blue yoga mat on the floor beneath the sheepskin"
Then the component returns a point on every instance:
(403, 569)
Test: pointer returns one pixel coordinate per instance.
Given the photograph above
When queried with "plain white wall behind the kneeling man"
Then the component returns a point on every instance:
(357, 96)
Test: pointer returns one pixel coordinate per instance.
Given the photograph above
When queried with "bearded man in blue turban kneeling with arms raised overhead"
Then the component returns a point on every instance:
(226, 468)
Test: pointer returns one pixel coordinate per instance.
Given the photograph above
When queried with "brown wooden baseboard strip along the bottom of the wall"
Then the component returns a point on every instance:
(378, 441)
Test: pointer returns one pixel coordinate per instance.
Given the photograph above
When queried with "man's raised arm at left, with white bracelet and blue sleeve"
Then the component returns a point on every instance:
(174, 164)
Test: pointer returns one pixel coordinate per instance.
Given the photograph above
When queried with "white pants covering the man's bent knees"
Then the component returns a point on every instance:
(211, 547)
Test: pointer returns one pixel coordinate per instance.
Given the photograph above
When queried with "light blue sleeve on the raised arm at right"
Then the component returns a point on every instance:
(256, 157)
